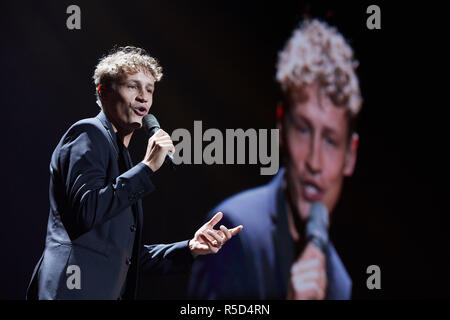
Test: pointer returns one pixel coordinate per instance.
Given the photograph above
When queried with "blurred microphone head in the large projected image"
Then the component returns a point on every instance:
(317, 226)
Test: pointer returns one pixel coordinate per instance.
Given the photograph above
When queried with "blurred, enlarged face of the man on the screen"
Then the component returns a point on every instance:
(319, 153)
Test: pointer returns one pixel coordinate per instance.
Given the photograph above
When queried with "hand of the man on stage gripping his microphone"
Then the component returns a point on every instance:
(158, 146)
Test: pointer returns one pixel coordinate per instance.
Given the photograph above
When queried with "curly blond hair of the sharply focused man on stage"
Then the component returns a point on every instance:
(123, 60)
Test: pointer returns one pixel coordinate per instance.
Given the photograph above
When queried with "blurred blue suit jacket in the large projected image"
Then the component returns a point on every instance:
(256, 263)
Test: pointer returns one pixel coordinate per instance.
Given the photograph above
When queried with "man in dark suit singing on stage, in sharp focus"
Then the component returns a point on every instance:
(93, 245)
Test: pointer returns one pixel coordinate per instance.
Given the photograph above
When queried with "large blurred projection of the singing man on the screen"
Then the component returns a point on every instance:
(274, 258)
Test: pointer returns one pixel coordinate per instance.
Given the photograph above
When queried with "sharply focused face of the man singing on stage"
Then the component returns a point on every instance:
(128, 100)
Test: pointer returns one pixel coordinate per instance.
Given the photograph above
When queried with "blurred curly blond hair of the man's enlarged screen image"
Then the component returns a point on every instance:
(317, 52)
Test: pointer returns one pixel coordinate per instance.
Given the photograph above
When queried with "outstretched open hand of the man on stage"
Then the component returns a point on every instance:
(208, 240)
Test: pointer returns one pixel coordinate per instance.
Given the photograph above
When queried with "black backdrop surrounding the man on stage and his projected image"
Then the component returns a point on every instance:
(219, 67)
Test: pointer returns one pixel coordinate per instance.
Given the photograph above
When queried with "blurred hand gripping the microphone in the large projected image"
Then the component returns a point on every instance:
(308, 276)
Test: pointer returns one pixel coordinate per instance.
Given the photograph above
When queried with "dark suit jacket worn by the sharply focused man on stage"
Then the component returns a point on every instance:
(95, 221)
